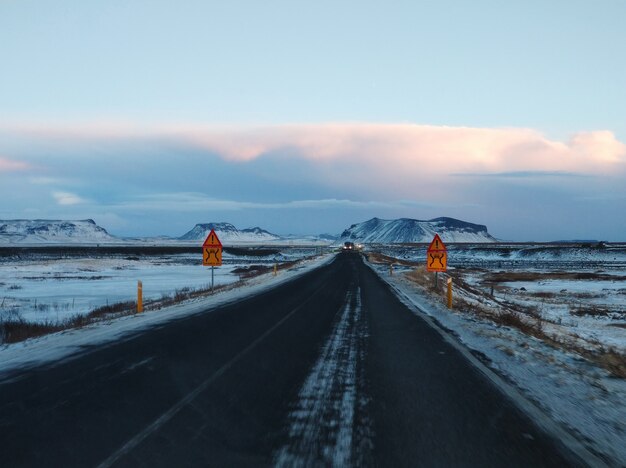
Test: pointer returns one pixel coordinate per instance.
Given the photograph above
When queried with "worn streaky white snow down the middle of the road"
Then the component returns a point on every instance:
(322, 429)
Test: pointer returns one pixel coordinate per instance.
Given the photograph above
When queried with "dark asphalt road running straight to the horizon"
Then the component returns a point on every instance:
(330, 369)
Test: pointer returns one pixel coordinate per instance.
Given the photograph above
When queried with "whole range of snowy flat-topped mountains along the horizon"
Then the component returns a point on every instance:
(373, 231)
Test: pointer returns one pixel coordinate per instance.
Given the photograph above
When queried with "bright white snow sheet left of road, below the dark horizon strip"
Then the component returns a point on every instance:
(53, 290)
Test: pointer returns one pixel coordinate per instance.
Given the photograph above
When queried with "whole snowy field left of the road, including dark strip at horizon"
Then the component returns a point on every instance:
(49, 287)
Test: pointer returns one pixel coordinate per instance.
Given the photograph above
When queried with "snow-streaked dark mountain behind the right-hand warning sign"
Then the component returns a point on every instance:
(404, 230)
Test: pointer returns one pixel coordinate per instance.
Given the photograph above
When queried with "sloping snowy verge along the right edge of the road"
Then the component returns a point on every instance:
(578, 395)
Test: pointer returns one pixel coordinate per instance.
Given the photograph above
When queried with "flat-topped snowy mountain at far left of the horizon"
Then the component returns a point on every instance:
(46, 231)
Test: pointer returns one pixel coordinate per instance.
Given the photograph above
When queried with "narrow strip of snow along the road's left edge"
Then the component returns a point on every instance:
(70, 343)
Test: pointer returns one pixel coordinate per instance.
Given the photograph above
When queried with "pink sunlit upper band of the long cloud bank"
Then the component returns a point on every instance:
(390, 149)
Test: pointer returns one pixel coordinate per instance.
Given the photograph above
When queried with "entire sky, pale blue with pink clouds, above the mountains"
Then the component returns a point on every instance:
(307, 117)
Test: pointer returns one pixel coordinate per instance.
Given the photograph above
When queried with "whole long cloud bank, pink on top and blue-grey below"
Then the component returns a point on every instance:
(315, 172)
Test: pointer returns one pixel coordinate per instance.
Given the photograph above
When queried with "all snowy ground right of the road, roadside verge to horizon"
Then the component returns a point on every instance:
(570, 359)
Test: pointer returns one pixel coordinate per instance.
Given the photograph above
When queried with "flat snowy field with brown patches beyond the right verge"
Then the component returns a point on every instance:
(576, 293)
